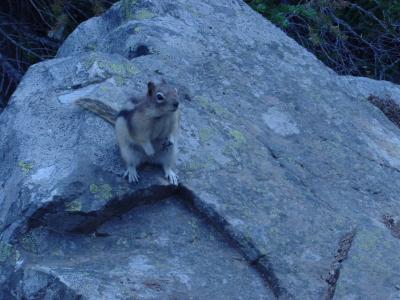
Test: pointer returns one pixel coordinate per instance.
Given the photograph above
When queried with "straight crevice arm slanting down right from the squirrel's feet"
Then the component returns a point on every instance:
(246, 247)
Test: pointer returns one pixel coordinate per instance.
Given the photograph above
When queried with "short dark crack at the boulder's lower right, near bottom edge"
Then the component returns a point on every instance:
(334, 272)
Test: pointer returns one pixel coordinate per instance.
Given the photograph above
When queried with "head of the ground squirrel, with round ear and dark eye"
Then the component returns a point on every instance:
(163, 96)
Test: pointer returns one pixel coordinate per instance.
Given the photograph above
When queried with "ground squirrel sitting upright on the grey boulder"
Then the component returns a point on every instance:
(147, 131)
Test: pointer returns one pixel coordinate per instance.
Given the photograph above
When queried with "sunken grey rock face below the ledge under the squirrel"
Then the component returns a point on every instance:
(143, 255)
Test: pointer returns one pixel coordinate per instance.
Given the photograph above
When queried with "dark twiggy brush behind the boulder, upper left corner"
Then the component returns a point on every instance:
(32, 30)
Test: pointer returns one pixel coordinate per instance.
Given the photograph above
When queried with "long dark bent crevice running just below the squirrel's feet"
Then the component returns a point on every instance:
(88, 223)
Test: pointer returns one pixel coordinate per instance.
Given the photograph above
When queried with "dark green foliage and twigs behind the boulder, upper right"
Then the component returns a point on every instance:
(360, 37)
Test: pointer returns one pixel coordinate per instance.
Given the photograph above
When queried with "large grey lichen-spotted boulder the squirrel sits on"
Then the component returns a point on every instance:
(285, 159)
